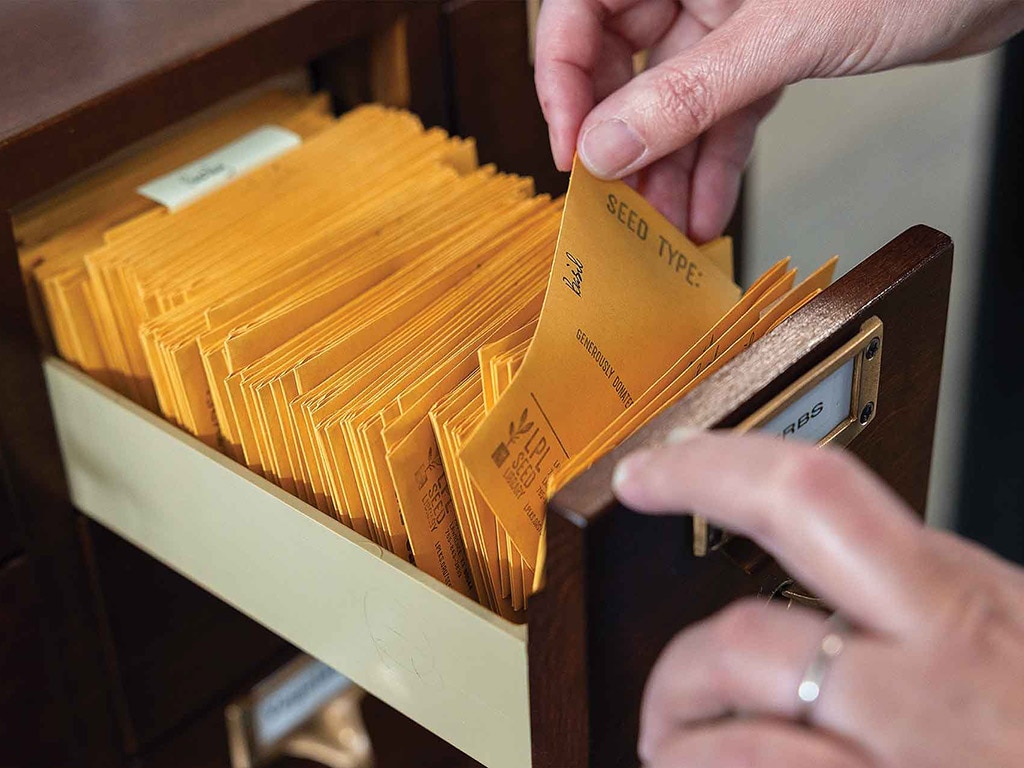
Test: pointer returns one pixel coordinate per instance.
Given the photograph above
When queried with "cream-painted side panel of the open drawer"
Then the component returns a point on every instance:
(440, 659)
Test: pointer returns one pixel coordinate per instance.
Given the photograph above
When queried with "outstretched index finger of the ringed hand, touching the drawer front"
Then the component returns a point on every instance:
(832, 524)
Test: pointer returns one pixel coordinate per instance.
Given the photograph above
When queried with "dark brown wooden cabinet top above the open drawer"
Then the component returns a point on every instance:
(80, 80)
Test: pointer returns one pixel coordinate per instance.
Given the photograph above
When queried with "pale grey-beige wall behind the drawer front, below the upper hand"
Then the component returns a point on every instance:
(844, 166)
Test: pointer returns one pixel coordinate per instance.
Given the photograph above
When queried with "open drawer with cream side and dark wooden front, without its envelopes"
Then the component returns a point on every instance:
(618, 585)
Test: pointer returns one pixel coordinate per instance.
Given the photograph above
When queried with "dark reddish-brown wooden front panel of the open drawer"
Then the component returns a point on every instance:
(617, 580)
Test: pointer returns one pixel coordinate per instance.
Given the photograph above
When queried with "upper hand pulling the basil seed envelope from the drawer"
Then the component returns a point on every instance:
(715, 70)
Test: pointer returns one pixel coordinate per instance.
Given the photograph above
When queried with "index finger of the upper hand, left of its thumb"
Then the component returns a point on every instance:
(571, 38)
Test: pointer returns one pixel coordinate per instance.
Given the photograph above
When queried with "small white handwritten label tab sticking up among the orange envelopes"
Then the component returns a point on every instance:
(190, 183)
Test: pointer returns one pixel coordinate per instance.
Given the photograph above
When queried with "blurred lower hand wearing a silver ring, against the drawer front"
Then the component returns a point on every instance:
(933, 673)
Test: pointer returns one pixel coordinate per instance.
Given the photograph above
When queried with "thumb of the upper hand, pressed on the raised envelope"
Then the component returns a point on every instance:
(671, 105)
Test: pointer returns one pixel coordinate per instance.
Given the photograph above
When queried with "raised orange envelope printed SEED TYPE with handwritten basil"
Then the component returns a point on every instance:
(628, 294)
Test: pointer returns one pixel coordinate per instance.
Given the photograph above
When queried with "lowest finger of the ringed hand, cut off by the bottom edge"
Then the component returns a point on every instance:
(755, 745)
